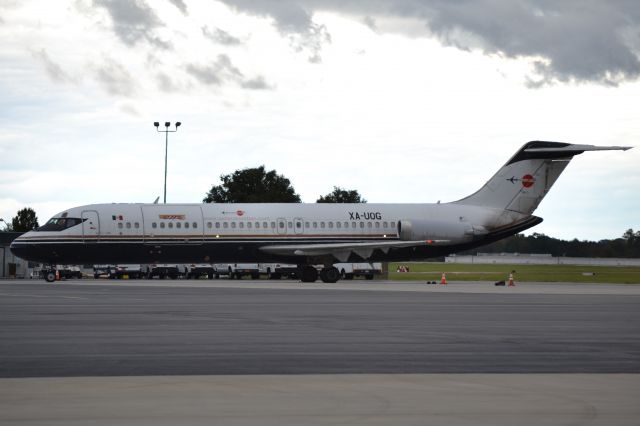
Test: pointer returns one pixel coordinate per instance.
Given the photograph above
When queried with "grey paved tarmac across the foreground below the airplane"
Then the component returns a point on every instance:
(380, 340)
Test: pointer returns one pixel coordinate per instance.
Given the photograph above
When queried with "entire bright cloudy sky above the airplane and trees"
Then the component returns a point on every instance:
(403, 100)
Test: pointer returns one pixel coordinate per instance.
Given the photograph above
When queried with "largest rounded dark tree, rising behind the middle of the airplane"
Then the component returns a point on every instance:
(253, 185)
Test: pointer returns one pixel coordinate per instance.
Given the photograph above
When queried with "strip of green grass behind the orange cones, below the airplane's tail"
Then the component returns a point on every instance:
(524, 273)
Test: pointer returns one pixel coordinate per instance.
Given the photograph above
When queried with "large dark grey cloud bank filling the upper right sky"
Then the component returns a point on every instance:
(571, 40)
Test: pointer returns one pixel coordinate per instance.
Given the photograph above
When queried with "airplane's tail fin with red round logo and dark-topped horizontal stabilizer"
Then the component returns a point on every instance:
(521, 184)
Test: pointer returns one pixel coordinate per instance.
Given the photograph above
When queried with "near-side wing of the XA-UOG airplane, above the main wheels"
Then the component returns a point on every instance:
(342, 251)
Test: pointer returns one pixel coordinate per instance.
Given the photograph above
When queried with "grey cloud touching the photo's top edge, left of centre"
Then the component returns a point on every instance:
(133, 21)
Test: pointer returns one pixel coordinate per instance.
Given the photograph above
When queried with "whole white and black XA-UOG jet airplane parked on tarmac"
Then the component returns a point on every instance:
(303, 234)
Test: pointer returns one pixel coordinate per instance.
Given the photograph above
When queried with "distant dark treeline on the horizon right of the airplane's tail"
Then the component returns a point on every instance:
(626, 246)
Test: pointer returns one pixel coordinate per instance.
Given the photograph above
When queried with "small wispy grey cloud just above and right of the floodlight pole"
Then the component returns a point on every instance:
(223, 71)
